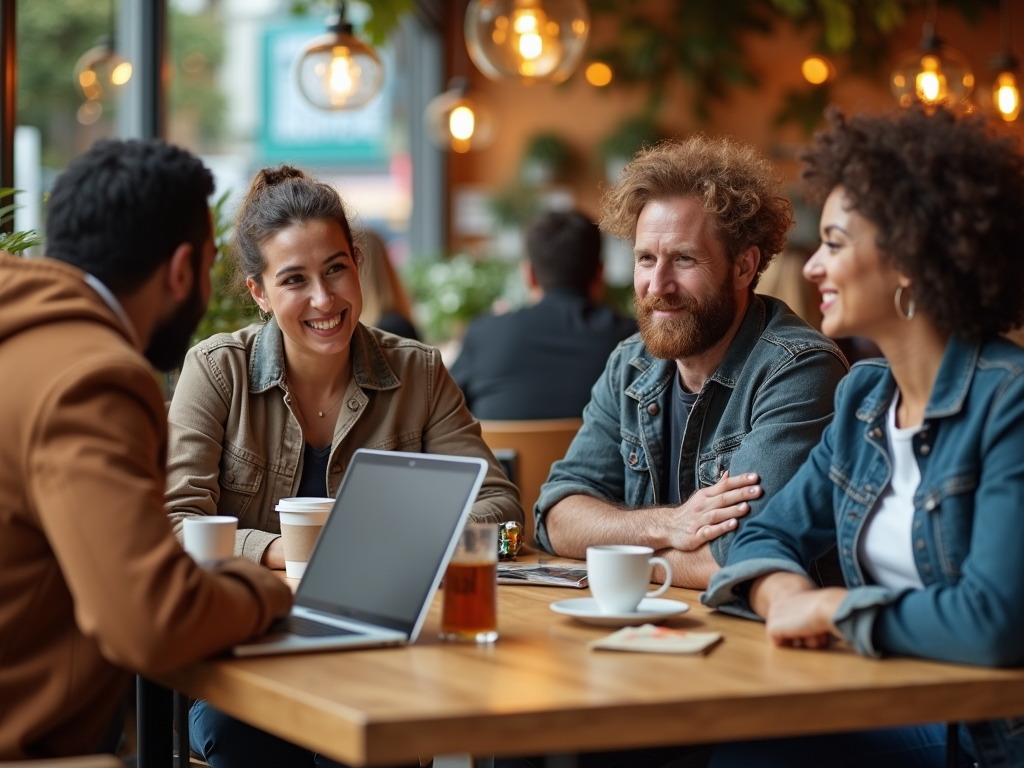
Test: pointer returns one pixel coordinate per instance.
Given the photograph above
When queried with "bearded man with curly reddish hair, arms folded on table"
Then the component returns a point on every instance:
(720, 398)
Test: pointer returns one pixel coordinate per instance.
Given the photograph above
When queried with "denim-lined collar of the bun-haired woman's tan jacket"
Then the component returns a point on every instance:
(267, 363)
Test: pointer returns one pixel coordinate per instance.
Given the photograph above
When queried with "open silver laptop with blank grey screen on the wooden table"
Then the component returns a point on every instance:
(381, 556)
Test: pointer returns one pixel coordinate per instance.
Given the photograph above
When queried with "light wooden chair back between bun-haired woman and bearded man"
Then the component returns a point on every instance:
(531, 448)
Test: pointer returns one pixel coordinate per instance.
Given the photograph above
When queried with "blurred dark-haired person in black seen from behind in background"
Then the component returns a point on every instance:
(542, 361)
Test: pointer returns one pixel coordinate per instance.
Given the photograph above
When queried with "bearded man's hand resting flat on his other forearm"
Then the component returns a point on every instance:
(711, 513)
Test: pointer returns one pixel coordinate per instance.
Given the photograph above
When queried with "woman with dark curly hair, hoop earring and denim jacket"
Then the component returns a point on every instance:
(919, 479)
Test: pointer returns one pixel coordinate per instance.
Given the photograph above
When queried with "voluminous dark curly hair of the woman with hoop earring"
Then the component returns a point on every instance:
(948, 197)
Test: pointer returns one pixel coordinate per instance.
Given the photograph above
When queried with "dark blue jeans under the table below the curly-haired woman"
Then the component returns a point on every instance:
(916, 747)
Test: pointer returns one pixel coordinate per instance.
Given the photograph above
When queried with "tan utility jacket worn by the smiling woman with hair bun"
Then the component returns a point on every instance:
(236, 446)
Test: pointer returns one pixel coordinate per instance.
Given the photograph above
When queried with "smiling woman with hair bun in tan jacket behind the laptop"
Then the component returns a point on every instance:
(278, 409)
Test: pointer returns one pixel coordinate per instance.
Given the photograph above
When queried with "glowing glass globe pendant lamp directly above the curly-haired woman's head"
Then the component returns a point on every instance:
(932, 74)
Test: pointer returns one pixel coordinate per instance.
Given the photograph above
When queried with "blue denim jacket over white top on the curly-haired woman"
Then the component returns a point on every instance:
(968, 524)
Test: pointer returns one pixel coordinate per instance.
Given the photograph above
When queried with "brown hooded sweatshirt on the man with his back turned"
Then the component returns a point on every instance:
(94, 586)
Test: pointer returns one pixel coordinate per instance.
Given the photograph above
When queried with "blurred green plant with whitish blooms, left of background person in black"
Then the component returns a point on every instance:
(451, 292)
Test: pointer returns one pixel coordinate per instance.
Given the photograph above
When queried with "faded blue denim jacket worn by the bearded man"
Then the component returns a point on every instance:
(762, 411)
